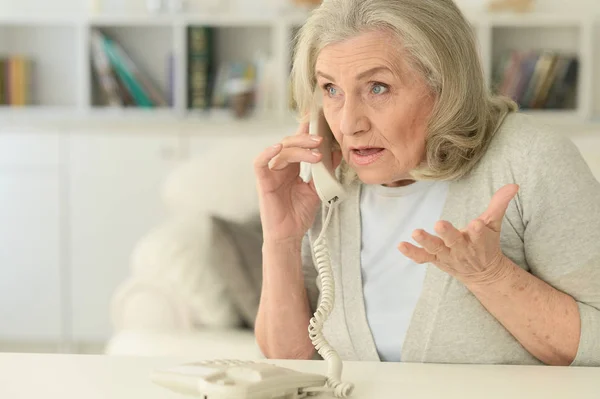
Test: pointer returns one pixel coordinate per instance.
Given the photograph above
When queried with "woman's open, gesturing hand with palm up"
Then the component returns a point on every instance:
(472, 255)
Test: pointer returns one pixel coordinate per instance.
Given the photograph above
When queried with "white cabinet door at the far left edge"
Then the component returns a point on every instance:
(31, 302)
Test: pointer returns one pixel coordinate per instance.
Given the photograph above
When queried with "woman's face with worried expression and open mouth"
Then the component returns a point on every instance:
(375, 105)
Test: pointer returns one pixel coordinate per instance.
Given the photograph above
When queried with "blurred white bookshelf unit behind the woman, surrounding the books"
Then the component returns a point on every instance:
(64, 83)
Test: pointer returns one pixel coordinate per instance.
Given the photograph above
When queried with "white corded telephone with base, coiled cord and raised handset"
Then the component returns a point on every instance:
(229, 379)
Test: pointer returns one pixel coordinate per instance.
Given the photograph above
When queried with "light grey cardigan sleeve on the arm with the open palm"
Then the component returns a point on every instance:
(561, 212)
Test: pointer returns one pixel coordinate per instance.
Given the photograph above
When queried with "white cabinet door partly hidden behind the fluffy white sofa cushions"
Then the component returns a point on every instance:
(114, 200)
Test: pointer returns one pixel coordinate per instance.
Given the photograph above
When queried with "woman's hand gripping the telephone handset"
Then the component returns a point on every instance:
(288, 205)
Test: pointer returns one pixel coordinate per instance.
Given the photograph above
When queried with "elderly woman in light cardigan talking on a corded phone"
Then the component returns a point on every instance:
(470, 234)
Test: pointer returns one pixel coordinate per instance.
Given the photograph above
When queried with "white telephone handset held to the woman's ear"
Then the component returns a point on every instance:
(327, 186)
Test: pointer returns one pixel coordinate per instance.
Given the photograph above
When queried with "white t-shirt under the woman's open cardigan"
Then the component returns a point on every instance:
(392, 283)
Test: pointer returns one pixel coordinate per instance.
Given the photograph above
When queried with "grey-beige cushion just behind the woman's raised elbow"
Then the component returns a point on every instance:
(236, 252)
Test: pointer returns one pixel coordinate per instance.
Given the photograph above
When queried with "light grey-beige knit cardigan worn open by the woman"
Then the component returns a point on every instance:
(551, 229)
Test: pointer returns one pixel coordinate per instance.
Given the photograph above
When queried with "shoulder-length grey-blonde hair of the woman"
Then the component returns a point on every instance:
(441, 47)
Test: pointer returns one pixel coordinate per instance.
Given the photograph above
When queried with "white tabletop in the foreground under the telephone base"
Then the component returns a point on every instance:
(93, 377)
